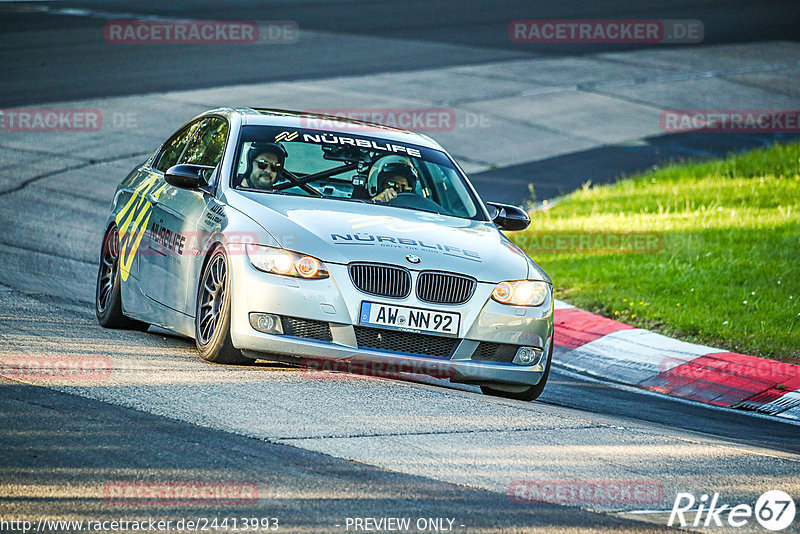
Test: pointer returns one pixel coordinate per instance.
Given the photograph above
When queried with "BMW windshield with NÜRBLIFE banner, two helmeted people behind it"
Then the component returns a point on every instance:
(350, 167)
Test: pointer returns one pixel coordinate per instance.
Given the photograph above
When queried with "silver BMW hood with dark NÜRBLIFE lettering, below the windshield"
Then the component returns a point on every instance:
(339, 231)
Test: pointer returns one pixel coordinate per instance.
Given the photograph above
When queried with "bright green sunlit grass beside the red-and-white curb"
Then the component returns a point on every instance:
(729, 271)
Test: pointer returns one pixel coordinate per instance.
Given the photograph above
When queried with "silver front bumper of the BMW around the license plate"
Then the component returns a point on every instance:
(336, 303)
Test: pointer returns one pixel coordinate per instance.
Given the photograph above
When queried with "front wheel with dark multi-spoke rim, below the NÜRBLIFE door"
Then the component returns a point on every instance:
(212, 318)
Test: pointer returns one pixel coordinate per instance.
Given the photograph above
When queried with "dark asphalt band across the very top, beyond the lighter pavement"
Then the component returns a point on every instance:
(58, 52)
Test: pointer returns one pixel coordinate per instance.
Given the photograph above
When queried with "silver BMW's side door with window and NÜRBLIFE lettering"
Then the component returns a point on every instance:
(173, 229)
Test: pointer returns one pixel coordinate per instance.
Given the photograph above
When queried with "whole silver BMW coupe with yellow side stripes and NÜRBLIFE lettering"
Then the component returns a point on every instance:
(270, 234)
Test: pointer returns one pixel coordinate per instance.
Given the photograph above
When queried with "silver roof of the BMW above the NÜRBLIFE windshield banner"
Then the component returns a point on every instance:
(328, 123)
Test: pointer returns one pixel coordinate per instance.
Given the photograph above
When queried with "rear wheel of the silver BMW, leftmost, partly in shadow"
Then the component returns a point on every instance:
(108, 298)
